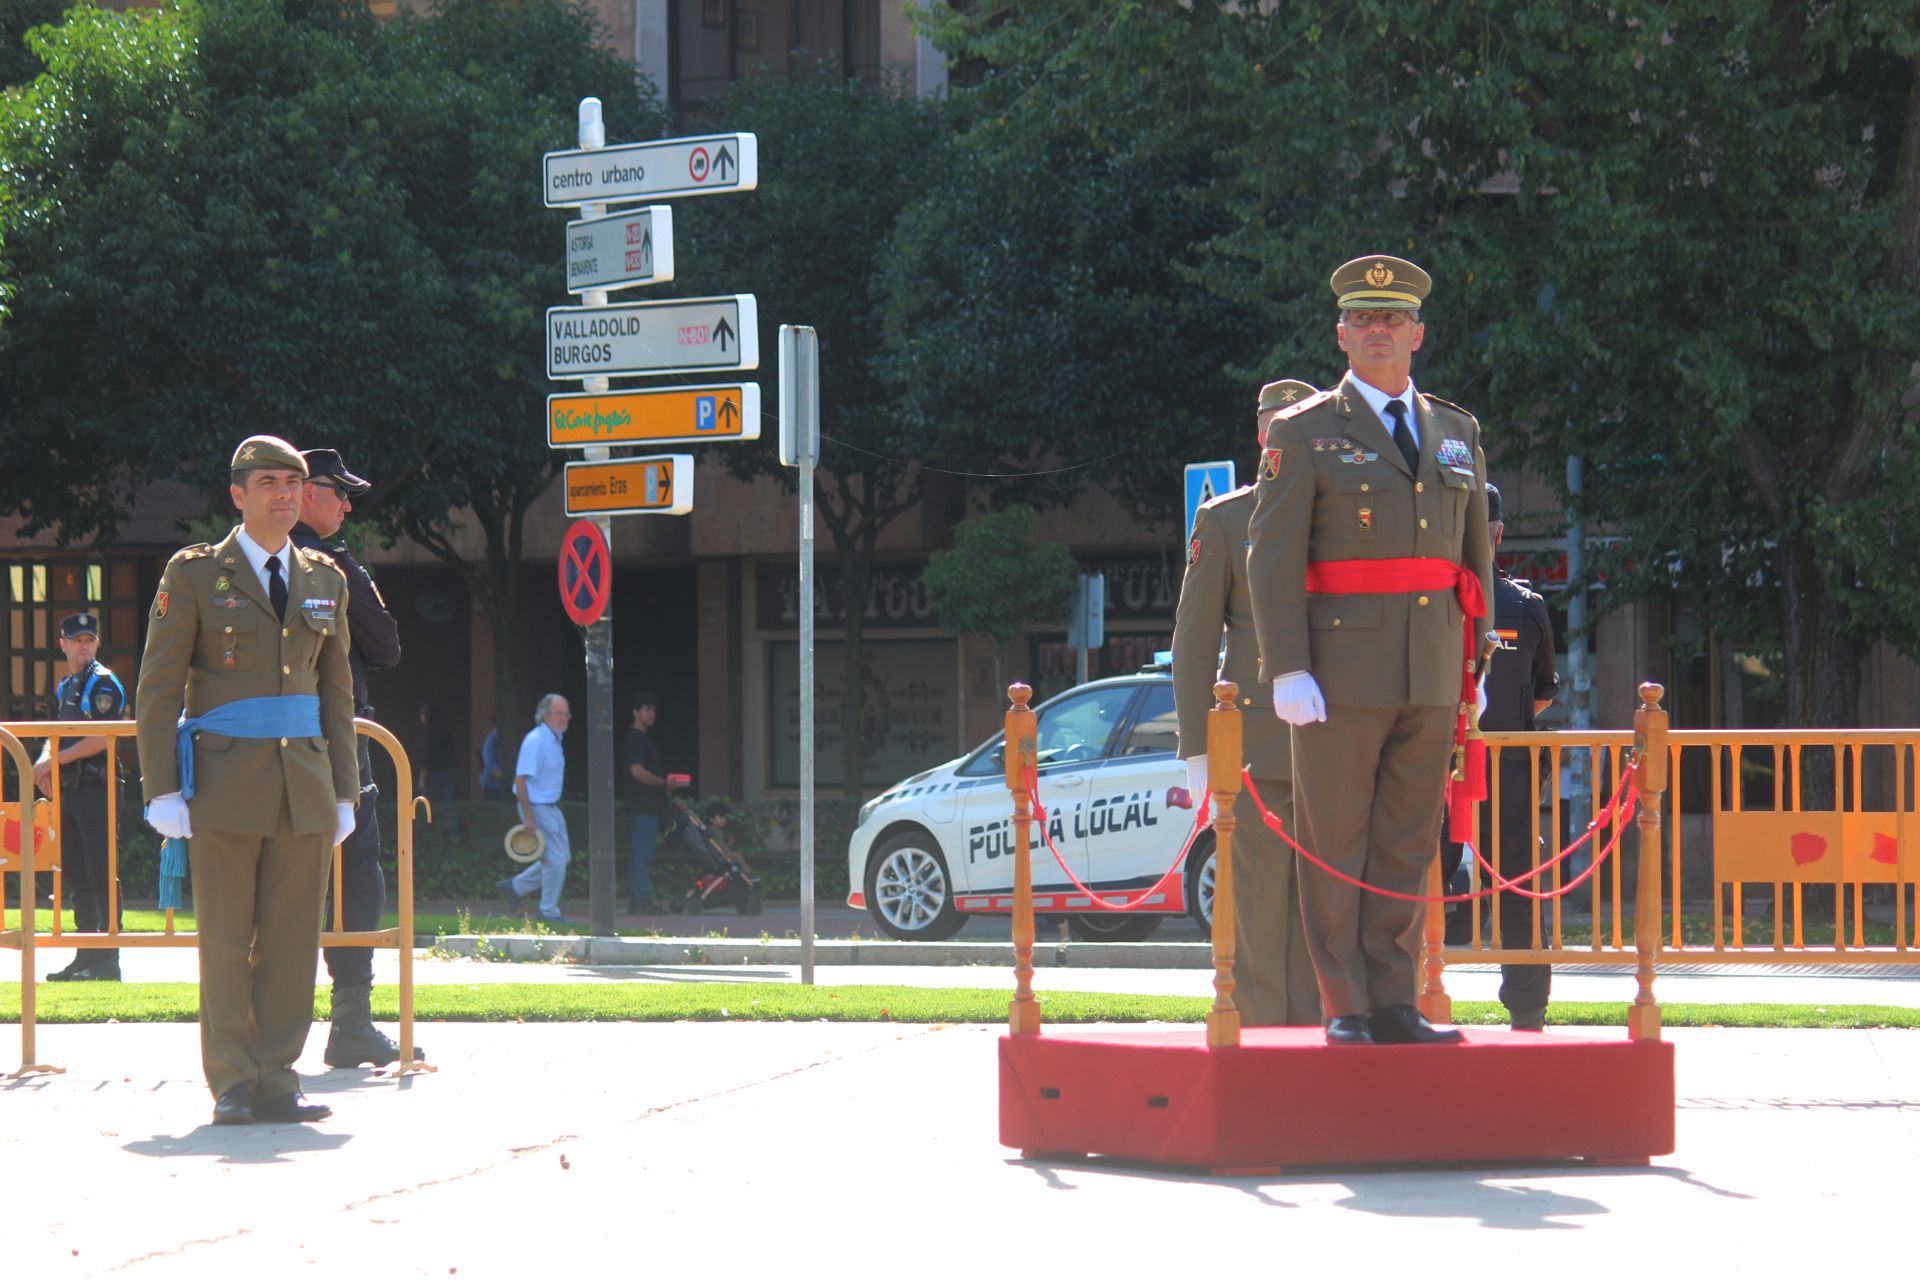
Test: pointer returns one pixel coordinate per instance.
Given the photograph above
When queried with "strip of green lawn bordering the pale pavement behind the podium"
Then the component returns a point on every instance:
(671, 1003)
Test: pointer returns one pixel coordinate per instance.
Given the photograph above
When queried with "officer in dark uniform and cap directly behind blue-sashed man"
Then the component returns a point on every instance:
(324, 510)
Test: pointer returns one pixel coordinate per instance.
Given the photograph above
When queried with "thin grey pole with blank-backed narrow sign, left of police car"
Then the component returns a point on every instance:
(800, 446)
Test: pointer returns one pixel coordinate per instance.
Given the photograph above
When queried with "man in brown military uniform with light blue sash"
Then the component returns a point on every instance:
(247, 753)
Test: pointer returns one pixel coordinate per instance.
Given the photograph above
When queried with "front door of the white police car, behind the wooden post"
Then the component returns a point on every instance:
(1074, 738)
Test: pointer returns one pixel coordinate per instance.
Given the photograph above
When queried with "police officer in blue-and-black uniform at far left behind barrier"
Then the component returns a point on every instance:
(89, 692)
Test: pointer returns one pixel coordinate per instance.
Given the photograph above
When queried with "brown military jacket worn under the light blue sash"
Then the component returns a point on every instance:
(214, 640)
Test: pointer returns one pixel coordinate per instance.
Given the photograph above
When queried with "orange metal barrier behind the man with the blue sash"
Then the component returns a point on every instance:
(30, 843)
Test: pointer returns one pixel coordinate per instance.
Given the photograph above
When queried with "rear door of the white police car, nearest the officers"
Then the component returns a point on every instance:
(1134, 832)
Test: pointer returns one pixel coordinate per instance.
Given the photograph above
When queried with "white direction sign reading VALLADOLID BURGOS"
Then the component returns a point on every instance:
(654, 337)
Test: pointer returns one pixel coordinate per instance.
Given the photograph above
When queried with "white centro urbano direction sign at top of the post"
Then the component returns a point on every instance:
(711, 166)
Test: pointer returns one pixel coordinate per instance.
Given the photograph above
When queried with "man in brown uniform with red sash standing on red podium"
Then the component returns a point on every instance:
(1370, 567)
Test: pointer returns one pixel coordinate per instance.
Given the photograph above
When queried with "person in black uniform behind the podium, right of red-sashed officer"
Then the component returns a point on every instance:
(1520, 686)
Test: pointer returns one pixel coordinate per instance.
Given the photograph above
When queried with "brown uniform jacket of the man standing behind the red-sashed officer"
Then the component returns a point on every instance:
(1212, 598)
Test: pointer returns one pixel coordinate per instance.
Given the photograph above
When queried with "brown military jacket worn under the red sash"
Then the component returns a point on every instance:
(1335, 488)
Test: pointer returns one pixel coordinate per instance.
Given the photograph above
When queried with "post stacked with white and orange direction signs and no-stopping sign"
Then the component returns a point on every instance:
(596, 343)
